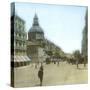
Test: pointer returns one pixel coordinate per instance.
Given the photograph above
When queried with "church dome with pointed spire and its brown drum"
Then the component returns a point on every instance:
(36, 32)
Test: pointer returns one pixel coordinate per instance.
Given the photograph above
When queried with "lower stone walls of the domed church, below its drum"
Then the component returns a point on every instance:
(35, 52)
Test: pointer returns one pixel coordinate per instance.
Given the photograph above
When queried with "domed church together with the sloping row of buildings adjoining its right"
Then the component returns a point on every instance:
(38, 46)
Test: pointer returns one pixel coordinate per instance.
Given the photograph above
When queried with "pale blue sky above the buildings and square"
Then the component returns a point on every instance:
(61, 24)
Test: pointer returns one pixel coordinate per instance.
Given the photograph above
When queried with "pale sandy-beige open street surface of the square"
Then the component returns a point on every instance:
(53, 75)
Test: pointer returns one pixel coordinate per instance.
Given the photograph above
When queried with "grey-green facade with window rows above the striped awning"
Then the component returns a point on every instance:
(19, 37)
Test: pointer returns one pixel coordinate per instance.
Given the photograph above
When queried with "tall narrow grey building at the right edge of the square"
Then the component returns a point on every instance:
(85, 37)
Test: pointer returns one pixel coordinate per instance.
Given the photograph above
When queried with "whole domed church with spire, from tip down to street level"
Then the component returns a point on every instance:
(35, 42)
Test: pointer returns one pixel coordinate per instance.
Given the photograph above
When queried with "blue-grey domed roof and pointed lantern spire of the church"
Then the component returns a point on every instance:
(35, 27)
